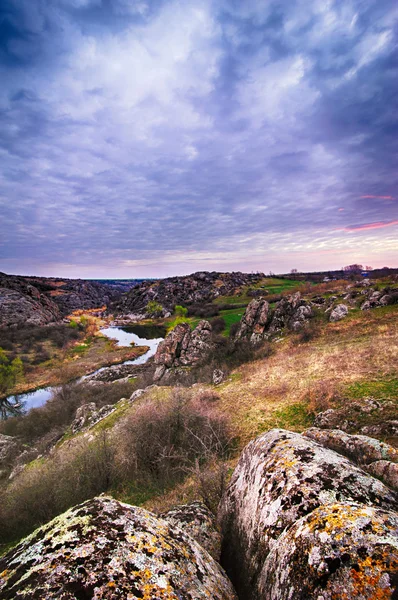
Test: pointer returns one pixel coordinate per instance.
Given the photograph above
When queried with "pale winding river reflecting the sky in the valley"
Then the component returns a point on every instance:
(141, 335)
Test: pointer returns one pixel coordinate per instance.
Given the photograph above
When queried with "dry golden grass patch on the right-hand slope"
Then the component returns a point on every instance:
(364, 347)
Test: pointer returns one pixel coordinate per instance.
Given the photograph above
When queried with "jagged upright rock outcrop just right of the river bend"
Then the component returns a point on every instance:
(183, 348)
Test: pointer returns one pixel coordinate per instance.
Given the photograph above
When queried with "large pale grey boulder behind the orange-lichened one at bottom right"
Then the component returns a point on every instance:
(281, 478)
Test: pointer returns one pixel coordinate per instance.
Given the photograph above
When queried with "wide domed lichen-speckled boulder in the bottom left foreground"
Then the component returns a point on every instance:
(106, 549)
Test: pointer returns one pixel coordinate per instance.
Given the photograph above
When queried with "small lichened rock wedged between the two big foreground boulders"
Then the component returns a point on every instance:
(196, 520)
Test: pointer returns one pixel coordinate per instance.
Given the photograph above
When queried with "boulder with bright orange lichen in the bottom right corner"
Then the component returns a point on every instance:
(340, 551)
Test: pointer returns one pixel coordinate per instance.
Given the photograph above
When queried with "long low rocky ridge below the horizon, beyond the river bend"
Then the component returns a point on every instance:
(197, 288)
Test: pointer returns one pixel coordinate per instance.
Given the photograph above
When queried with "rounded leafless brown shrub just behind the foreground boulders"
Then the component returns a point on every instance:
(161, 441)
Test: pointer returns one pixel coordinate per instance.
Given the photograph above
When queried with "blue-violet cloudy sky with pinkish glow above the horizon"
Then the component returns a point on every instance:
(158, 137)
